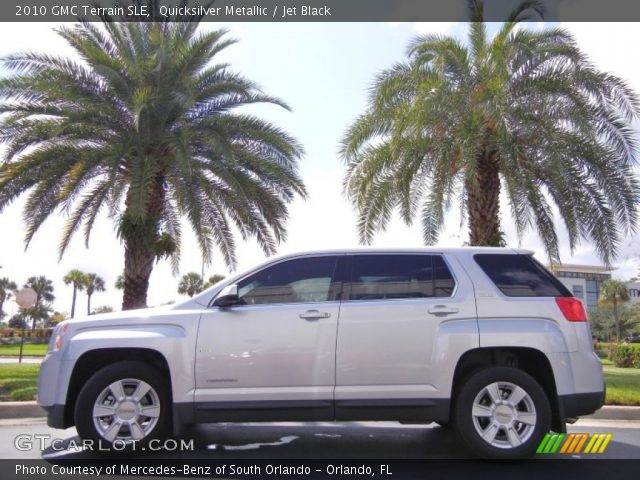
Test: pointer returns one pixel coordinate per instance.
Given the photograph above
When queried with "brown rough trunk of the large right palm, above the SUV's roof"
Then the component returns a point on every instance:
(483, 191)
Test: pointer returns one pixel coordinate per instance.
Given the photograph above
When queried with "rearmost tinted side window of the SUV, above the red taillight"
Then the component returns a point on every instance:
(520, 276)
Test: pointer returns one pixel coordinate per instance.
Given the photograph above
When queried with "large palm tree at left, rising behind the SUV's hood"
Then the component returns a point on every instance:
(146, 126)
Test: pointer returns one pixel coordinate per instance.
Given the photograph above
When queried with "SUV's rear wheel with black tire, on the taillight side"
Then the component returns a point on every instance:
(501, 381)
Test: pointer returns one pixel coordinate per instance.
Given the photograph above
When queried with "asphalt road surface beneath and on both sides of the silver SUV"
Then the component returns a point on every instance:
(358, 440)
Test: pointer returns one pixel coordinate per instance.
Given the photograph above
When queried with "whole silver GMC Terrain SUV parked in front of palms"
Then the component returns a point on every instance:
(483, 339)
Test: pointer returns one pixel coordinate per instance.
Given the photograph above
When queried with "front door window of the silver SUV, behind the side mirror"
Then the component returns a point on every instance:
(292, 281)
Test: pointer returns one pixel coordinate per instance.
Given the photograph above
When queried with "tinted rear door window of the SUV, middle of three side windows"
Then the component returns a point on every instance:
(376, 277)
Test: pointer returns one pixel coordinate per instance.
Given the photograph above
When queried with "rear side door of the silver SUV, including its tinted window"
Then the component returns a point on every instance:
(403, 317)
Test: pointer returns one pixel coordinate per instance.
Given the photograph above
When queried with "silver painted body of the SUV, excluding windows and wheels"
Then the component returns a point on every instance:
(379, 359)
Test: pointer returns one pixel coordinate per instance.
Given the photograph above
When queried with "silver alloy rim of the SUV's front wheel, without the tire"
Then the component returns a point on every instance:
(126, 410)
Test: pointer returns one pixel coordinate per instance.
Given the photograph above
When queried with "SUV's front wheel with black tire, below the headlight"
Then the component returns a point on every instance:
(96, 389)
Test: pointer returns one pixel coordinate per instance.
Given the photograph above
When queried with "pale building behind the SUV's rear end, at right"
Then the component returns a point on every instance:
(584, 281)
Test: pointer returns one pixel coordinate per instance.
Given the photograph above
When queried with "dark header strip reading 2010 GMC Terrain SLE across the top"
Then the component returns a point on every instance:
(309, 10)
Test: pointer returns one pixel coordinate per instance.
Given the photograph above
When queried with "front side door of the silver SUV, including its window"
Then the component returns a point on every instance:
(272, 355)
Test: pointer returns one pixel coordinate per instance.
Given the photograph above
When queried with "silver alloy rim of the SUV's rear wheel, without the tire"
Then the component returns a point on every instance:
(504, 415)
